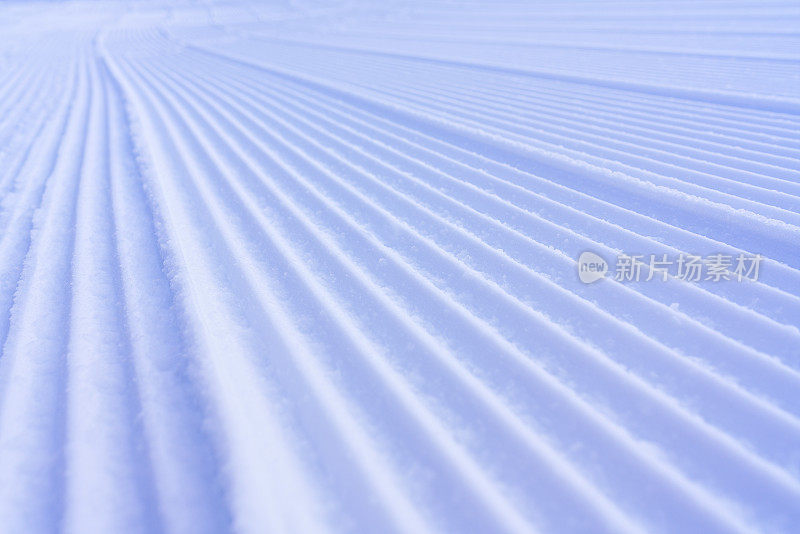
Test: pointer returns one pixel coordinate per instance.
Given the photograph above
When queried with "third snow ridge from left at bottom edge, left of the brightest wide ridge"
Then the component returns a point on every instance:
(179, 443)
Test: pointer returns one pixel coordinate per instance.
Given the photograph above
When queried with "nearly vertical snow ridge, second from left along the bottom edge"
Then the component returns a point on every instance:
(109, 465)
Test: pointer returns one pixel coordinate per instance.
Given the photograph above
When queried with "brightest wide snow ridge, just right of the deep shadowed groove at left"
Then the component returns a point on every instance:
(242, 440)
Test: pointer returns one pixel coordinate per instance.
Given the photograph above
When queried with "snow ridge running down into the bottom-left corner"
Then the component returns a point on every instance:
(34, 372)
